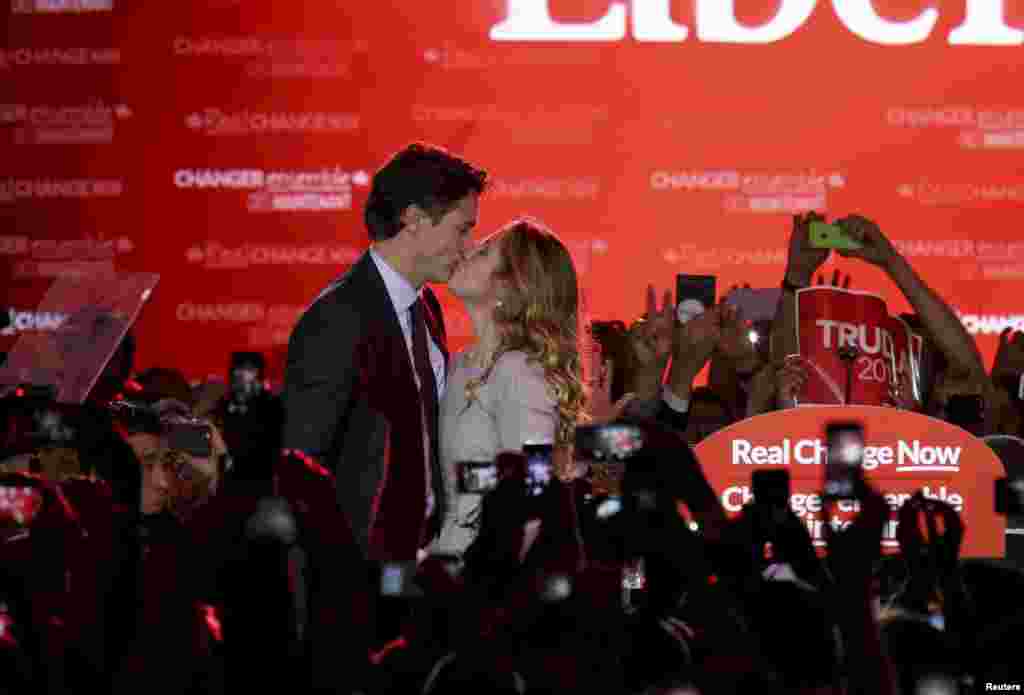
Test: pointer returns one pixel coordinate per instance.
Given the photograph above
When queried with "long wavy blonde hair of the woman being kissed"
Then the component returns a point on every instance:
(539, 315)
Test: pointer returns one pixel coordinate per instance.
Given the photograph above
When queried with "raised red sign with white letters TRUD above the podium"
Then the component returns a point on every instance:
(854, 350)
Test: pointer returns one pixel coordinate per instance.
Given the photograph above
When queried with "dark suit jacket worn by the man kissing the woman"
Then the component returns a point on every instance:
(351, 400)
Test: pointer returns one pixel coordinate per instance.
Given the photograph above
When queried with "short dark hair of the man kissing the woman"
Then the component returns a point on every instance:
(423, 176)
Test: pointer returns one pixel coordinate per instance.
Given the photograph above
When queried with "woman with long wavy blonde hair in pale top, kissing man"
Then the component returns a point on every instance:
(521, 382)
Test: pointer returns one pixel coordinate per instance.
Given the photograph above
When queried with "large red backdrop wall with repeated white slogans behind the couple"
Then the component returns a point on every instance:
(226, 145)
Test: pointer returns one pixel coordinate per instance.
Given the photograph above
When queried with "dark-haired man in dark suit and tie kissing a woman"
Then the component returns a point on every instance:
(367, 363)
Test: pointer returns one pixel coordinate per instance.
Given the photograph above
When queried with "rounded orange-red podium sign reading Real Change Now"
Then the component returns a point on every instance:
(904, 453)
